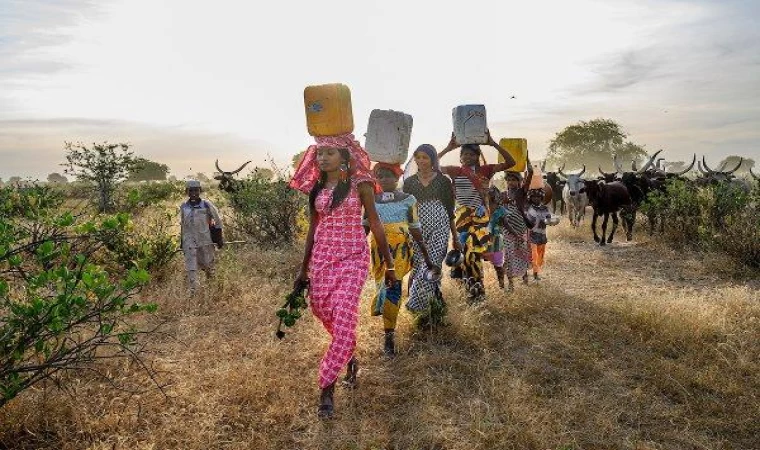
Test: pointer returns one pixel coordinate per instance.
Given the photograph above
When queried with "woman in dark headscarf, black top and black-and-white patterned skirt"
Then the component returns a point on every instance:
(435, 206)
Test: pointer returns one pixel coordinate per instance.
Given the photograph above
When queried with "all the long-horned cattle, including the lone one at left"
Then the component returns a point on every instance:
(608, 194)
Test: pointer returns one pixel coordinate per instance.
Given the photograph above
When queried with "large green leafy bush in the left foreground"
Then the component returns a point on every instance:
(59, 310)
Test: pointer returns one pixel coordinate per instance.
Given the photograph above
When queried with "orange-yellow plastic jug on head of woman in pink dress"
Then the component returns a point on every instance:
(328, 109)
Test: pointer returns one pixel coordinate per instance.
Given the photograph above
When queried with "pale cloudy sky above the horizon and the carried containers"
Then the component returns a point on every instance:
(187, 81)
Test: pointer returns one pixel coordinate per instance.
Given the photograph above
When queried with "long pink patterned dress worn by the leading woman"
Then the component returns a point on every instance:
(337, 271)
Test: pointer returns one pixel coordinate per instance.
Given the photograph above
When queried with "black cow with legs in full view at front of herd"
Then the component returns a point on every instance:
(609, 198)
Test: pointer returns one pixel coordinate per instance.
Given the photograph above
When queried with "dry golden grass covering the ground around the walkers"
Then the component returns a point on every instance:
(626, 347)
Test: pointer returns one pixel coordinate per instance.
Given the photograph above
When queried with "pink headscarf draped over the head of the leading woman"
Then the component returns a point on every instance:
(307, 174)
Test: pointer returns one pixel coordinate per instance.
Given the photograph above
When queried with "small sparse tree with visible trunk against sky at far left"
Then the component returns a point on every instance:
(103, 165)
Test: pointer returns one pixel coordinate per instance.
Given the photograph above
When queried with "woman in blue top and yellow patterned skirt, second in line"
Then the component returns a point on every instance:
(398, 213)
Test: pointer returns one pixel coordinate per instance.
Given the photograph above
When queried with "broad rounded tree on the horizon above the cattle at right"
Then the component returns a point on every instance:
(593, 143)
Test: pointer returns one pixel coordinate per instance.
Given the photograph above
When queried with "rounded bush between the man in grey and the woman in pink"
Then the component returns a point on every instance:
(267, 210)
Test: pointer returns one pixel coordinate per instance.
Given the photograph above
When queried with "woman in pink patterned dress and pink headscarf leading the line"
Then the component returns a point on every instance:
(335, 173)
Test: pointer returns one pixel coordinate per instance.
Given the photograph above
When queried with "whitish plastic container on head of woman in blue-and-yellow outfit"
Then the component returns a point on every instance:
(388, 136)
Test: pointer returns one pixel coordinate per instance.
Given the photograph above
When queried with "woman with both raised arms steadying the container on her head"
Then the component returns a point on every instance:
(471, 181)
